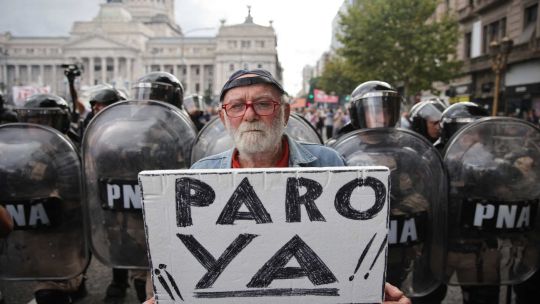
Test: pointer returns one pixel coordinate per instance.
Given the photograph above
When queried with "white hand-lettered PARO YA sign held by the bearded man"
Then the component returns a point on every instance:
(287, 235)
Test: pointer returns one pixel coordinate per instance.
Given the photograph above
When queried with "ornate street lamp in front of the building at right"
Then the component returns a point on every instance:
(499, 56)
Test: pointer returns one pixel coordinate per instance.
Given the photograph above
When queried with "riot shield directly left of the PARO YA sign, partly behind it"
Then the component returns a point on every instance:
(122, 140)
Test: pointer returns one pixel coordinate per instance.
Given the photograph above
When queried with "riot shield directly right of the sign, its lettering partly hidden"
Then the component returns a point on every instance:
(417, 228)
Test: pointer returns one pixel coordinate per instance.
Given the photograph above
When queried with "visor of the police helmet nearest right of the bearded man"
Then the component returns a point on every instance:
(380, 110)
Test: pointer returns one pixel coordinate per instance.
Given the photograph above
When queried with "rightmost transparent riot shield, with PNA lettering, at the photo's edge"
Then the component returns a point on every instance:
(493, 167)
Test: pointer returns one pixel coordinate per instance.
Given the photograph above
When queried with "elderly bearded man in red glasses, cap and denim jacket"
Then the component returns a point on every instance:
(255, 113)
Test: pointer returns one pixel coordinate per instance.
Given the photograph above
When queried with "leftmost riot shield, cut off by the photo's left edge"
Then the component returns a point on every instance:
(40, 187)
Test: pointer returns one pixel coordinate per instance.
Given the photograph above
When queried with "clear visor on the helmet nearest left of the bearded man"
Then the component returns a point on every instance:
(157, 91)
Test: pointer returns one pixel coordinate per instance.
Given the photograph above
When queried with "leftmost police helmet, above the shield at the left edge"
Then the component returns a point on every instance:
(46, 109)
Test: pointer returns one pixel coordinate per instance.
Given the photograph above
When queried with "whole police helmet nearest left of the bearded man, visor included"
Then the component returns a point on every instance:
(160, 86)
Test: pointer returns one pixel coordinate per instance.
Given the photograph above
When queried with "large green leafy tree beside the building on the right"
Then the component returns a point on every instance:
(398, 41)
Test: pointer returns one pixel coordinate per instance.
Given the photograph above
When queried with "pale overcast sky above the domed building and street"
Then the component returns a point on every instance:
(303, 27)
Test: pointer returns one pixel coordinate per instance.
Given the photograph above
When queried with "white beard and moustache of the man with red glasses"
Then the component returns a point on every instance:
(256, 137)
